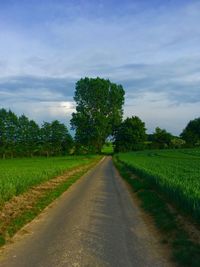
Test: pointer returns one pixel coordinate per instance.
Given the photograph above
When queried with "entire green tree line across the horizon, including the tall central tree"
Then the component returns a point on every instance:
(98, 116)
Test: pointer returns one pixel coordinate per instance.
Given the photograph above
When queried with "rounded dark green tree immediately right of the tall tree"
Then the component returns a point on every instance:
(130, 135)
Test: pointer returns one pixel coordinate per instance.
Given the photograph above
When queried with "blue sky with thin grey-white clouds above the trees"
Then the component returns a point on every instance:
(150, 47)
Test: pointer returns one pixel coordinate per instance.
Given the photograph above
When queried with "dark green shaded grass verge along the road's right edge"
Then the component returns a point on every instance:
(185, 252)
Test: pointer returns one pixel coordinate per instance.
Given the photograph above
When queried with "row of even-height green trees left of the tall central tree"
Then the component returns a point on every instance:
(20, 136)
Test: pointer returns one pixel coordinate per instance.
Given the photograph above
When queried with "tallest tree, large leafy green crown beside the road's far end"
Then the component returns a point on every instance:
(98, 112)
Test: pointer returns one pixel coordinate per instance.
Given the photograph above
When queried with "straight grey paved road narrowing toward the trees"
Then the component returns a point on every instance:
(94, 223)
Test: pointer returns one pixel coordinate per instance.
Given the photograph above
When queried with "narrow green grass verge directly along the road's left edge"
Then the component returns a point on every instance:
(42, 202)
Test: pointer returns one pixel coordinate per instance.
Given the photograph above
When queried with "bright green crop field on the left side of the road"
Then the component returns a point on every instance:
(18, 175)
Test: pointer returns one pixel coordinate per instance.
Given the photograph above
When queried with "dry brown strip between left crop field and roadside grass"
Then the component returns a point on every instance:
(14, 209)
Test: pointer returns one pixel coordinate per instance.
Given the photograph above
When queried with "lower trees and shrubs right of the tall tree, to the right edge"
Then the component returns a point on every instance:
(131, 135)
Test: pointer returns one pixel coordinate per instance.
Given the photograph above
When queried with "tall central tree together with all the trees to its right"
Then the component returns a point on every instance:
(99, 115)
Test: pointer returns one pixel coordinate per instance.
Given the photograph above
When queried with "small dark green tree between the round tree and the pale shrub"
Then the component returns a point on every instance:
(161, 138)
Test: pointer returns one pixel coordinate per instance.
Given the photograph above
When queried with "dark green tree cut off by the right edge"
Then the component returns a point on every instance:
(191, 133)
